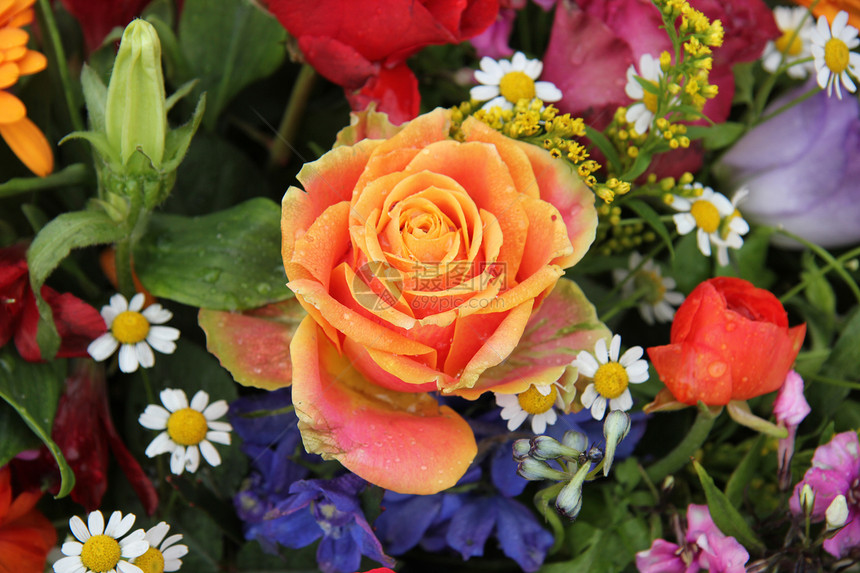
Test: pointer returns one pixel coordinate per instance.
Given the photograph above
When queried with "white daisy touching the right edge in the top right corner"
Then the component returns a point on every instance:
(832, 55)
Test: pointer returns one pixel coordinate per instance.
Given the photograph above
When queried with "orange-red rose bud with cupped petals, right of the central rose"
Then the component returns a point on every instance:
(729, 341)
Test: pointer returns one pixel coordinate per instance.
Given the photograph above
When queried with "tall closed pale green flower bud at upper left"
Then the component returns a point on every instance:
(135, 112)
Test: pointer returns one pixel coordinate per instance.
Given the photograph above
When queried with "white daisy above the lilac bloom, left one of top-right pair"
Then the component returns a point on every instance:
(793, 46)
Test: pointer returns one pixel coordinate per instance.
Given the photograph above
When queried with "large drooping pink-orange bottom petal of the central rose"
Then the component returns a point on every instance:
(403, 442)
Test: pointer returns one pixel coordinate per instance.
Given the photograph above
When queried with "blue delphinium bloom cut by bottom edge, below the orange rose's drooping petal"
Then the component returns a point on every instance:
(326, 510)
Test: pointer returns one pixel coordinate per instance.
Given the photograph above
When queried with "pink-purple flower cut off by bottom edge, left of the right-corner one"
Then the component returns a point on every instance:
(705, 547)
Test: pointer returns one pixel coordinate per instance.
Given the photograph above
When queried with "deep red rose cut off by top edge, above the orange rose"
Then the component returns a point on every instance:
(363, 44)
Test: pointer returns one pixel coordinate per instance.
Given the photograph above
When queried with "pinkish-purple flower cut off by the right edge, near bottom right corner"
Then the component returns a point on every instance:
(835, 471)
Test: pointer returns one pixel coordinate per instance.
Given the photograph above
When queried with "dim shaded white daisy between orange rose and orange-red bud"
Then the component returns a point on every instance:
(659, 302)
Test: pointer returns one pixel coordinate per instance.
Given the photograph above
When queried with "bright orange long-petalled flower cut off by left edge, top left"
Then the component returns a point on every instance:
(23, 136)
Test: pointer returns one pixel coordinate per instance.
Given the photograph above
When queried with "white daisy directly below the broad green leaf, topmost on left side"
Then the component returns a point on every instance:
(134, 331)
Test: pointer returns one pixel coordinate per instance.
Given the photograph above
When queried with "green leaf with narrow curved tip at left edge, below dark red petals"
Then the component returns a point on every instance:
(33, 390)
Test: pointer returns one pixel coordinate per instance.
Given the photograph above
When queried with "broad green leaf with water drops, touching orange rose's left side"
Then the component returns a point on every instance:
(229, 260)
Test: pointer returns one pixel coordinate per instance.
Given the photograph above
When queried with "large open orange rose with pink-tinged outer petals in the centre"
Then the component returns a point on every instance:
(421, 261)
